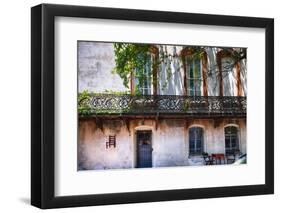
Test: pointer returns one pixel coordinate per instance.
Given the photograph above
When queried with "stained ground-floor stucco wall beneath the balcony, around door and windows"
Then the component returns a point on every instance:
(169, 142)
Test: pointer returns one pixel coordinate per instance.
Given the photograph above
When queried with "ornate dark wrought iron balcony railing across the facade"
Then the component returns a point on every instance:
(108, 104)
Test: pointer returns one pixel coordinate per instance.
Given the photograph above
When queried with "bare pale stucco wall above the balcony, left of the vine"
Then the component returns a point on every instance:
(95, 65)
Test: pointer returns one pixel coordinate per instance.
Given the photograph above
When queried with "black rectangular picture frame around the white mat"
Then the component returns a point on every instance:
(43, 102)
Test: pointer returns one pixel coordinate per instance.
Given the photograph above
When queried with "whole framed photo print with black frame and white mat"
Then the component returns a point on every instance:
(140, 106)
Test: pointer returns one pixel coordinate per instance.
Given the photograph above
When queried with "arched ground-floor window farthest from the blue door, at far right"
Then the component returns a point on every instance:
(231, 140)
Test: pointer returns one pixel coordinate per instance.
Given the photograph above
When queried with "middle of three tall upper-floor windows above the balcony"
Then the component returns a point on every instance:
(194, 77)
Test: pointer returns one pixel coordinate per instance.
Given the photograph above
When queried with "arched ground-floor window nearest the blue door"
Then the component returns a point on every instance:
(195, 141)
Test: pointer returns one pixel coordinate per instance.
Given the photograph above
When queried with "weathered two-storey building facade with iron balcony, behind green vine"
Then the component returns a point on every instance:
(186, 107)
